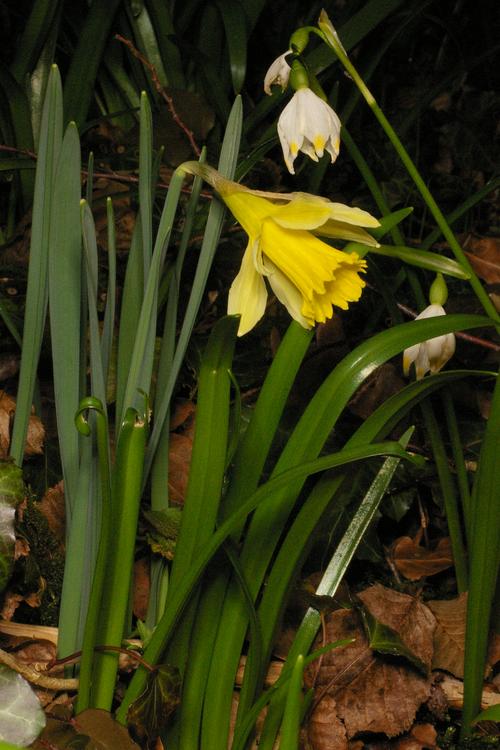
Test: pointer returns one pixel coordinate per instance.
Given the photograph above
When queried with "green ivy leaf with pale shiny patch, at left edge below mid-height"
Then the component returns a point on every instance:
(11, 494)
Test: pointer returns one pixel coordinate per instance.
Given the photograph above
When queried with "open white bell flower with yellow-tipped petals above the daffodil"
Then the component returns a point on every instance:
(310, 125)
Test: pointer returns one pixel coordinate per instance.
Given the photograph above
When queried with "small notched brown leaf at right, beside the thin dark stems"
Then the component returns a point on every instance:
(415, 562)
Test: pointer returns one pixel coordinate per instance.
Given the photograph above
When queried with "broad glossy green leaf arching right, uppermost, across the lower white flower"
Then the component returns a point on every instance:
(268, 522)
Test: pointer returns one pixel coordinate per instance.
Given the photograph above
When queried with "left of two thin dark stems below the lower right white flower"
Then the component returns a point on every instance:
(449, 494)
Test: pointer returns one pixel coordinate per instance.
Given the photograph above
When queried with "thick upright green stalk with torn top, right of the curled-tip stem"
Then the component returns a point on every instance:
(127, 482)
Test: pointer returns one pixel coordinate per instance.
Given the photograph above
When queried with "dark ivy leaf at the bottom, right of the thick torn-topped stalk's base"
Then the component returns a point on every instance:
(151, 710)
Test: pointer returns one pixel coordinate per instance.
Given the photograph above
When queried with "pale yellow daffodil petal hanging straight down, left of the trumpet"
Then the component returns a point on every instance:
(248, 294)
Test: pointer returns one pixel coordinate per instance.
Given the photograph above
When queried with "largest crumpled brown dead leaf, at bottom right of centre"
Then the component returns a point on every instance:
(371, 693)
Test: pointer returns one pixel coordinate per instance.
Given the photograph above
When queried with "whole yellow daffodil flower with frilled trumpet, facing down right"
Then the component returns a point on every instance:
(307, 275)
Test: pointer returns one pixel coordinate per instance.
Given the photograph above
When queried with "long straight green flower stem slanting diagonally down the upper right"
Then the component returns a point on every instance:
(332, 41)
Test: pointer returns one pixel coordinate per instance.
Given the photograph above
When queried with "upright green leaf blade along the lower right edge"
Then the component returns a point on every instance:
(484, 563)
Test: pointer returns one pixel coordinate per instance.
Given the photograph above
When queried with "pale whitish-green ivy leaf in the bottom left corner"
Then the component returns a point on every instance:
(21, 716)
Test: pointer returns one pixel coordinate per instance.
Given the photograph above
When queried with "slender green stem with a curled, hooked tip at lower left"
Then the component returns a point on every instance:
(94, 608)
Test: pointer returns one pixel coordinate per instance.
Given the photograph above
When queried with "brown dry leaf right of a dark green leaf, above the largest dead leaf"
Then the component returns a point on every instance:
(406, 615)
